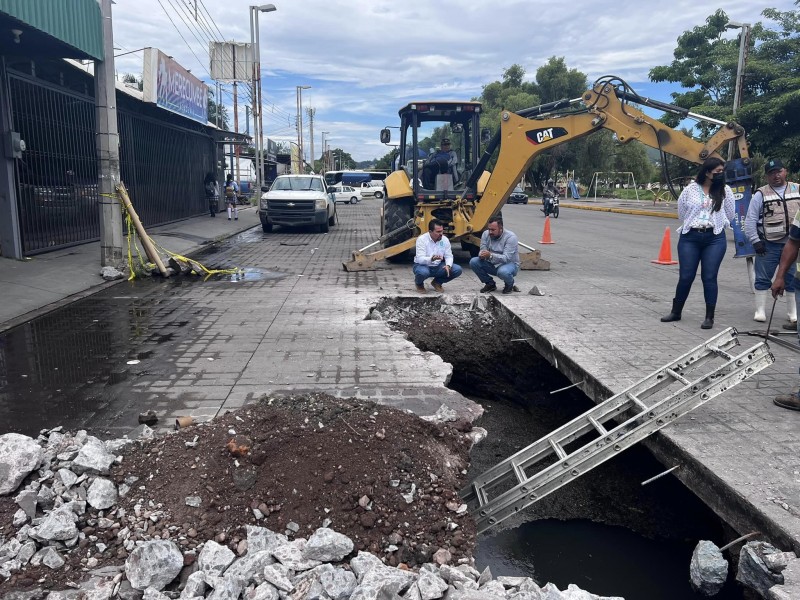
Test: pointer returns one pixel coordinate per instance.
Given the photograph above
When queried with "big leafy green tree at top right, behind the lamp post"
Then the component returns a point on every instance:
(705, 65)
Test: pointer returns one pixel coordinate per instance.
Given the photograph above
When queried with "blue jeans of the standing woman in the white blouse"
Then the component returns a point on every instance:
(704, 249)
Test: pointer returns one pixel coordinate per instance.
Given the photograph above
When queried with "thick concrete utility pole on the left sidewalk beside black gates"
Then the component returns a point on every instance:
(107, 144)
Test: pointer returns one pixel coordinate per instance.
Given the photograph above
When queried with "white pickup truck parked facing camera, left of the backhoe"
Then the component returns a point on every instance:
(296, 200)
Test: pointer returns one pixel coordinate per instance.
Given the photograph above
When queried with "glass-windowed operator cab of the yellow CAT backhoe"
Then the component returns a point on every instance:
(423, 126)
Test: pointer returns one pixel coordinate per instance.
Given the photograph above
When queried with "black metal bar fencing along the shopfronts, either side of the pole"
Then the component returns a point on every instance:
(161, 163)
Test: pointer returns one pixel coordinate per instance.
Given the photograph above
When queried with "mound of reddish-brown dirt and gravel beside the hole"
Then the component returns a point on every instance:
(387, 479)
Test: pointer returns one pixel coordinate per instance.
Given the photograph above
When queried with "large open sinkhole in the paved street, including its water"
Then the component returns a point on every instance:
(604, 531)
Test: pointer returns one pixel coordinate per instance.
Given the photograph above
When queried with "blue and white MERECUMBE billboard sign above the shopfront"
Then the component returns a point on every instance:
(173, 88)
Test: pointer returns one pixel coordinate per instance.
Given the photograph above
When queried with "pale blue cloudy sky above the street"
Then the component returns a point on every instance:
(364, 60)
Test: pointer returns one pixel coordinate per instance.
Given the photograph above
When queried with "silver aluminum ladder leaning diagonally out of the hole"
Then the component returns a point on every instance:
(595, 437)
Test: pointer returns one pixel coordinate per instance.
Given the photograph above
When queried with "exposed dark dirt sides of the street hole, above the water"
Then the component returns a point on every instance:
(513, 384)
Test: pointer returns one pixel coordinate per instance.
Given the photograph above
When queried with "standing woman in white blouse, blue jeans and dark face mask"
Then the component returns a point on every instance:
(706, 207)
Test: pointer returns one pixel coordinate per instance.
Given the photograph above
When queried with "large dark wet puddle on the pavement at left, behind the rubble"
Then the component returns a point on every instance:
(64, 367)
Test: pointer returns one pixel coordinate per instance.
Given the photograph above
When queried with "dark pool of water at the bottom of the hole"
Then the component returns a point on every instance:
(601, 559)
